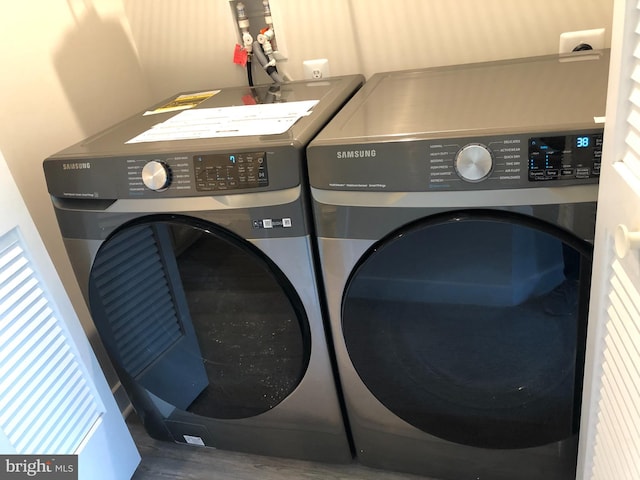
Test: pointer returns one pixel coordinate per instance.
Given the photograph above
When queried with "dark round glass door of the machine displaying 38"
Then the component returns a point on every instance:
(471, 327)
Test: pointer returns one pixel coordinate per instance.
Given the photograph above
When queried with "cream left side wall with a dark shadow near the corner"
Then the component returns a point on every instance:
(69, 69)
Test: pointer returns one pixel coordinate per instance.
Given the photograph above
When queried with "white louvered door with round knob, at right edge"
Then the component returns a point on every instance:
(610, 432)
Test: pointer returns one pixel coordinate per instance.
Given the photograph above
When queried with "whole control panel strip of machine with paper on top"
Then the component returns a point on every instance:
(170, 175)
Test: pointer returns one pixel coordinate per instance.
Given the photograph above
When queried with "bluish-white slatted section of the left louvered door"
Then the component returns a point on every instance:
(47, 406)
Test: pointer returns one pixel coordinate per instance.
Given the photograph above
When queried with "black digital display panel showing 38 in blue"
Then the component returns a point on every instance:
(565, 156)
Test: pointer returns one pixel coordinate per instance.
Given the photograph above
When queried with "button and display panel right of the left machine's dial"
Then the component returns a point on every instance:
(229, 171)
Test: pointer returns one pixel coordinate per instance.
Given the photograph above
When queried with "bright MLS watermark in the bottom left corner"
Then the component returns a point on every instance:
(49, 467)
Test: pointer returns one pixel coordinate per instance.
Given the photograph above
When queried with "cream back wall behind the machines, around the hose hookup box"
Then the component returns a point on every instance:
(189, 45)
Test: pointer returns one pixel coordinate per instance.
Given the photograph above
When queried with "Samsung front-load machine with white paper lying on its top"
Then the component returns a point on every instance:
(189, 231)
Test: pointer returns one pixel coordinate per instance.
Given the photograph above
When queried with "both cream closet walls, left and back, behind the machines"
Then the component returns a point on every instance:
(73, 67)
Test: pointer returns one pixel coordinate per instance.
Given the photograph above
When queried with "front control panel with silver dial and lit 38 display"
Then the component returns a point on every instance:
(469, 163)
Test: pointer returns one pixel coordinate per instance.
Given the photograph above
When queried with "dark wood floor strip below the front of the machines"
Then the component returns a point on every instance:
(172, 461)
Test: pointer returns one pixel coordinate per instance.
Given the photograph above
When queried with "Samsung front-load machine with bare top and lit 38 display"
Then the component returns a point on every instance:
(455, 210)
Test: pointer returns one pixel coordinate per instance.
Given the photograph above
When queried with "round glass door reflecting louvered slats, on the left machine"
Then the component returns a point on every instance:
(199, 317)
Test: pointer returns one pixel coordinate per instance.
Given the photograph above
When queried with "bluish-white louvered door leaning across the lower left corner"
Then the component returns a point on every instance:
(53, 397)
